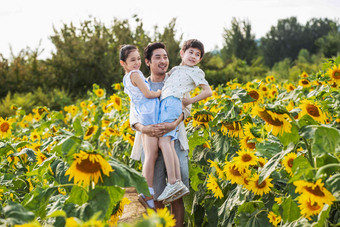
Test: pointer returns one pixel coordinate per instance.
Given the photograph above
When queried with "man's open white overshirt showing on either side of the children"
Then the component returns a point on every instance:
(182, 134)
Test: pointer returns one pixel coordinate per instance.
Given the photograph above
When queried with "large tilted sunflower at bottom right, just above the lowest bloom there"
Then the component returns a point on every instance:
(314, 192)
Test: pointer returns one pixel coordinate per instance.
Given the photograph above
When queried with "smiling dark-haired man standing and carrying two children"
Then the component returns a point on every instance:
(156, 58)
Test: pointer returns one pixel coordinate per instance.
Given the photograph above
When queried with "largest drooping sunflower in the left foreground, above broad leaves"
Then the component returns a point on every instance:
(87, 167)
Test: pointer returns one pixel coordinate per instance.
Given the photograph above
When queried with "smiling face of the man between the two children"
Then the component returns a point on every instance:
(159, 62)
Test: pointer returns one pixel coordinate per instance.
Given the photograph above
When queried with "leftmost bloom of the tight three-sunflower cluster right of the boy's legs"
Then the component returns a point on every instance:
(235, 175)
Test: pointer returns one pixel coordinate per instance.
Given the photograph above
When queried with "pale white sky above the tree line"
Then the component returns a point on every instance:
(29, 23)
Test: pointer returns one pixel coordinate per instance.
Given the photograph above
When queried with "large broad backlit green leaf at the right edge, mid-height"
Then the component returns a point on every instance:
(326, 139)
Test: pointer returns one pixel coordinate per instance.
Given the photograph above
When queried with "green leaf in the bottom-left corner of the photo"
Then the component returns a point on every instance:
(16, 214)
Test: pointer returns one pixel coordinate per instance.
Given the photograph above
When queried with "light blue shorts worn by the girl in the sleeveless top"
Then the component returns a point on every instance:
(147, 111)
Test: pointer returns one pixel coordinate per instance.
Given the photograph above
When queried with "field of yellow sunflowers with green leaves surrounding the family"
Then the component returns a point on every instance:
(264, 153)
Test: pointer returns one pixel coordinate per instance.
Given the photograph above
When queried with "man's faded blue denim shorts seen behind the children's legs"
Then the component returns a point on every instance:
(160, 176)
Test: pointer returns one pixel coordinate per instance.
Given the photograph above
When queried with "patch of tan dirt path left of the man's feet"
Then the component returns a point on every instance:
(133, 211)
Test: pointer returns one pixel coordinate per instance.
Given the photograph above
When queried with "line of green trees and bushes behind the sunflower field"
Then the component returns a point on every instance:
(89, 54)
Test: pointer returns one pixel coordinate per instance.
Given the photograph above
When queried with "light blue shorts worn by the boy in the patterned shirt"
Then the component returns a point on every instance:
(170, 109)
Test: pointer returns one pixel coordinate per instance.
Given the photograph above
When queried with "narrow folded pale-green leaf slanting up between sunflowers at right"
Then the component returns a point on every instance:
(271, 165)
